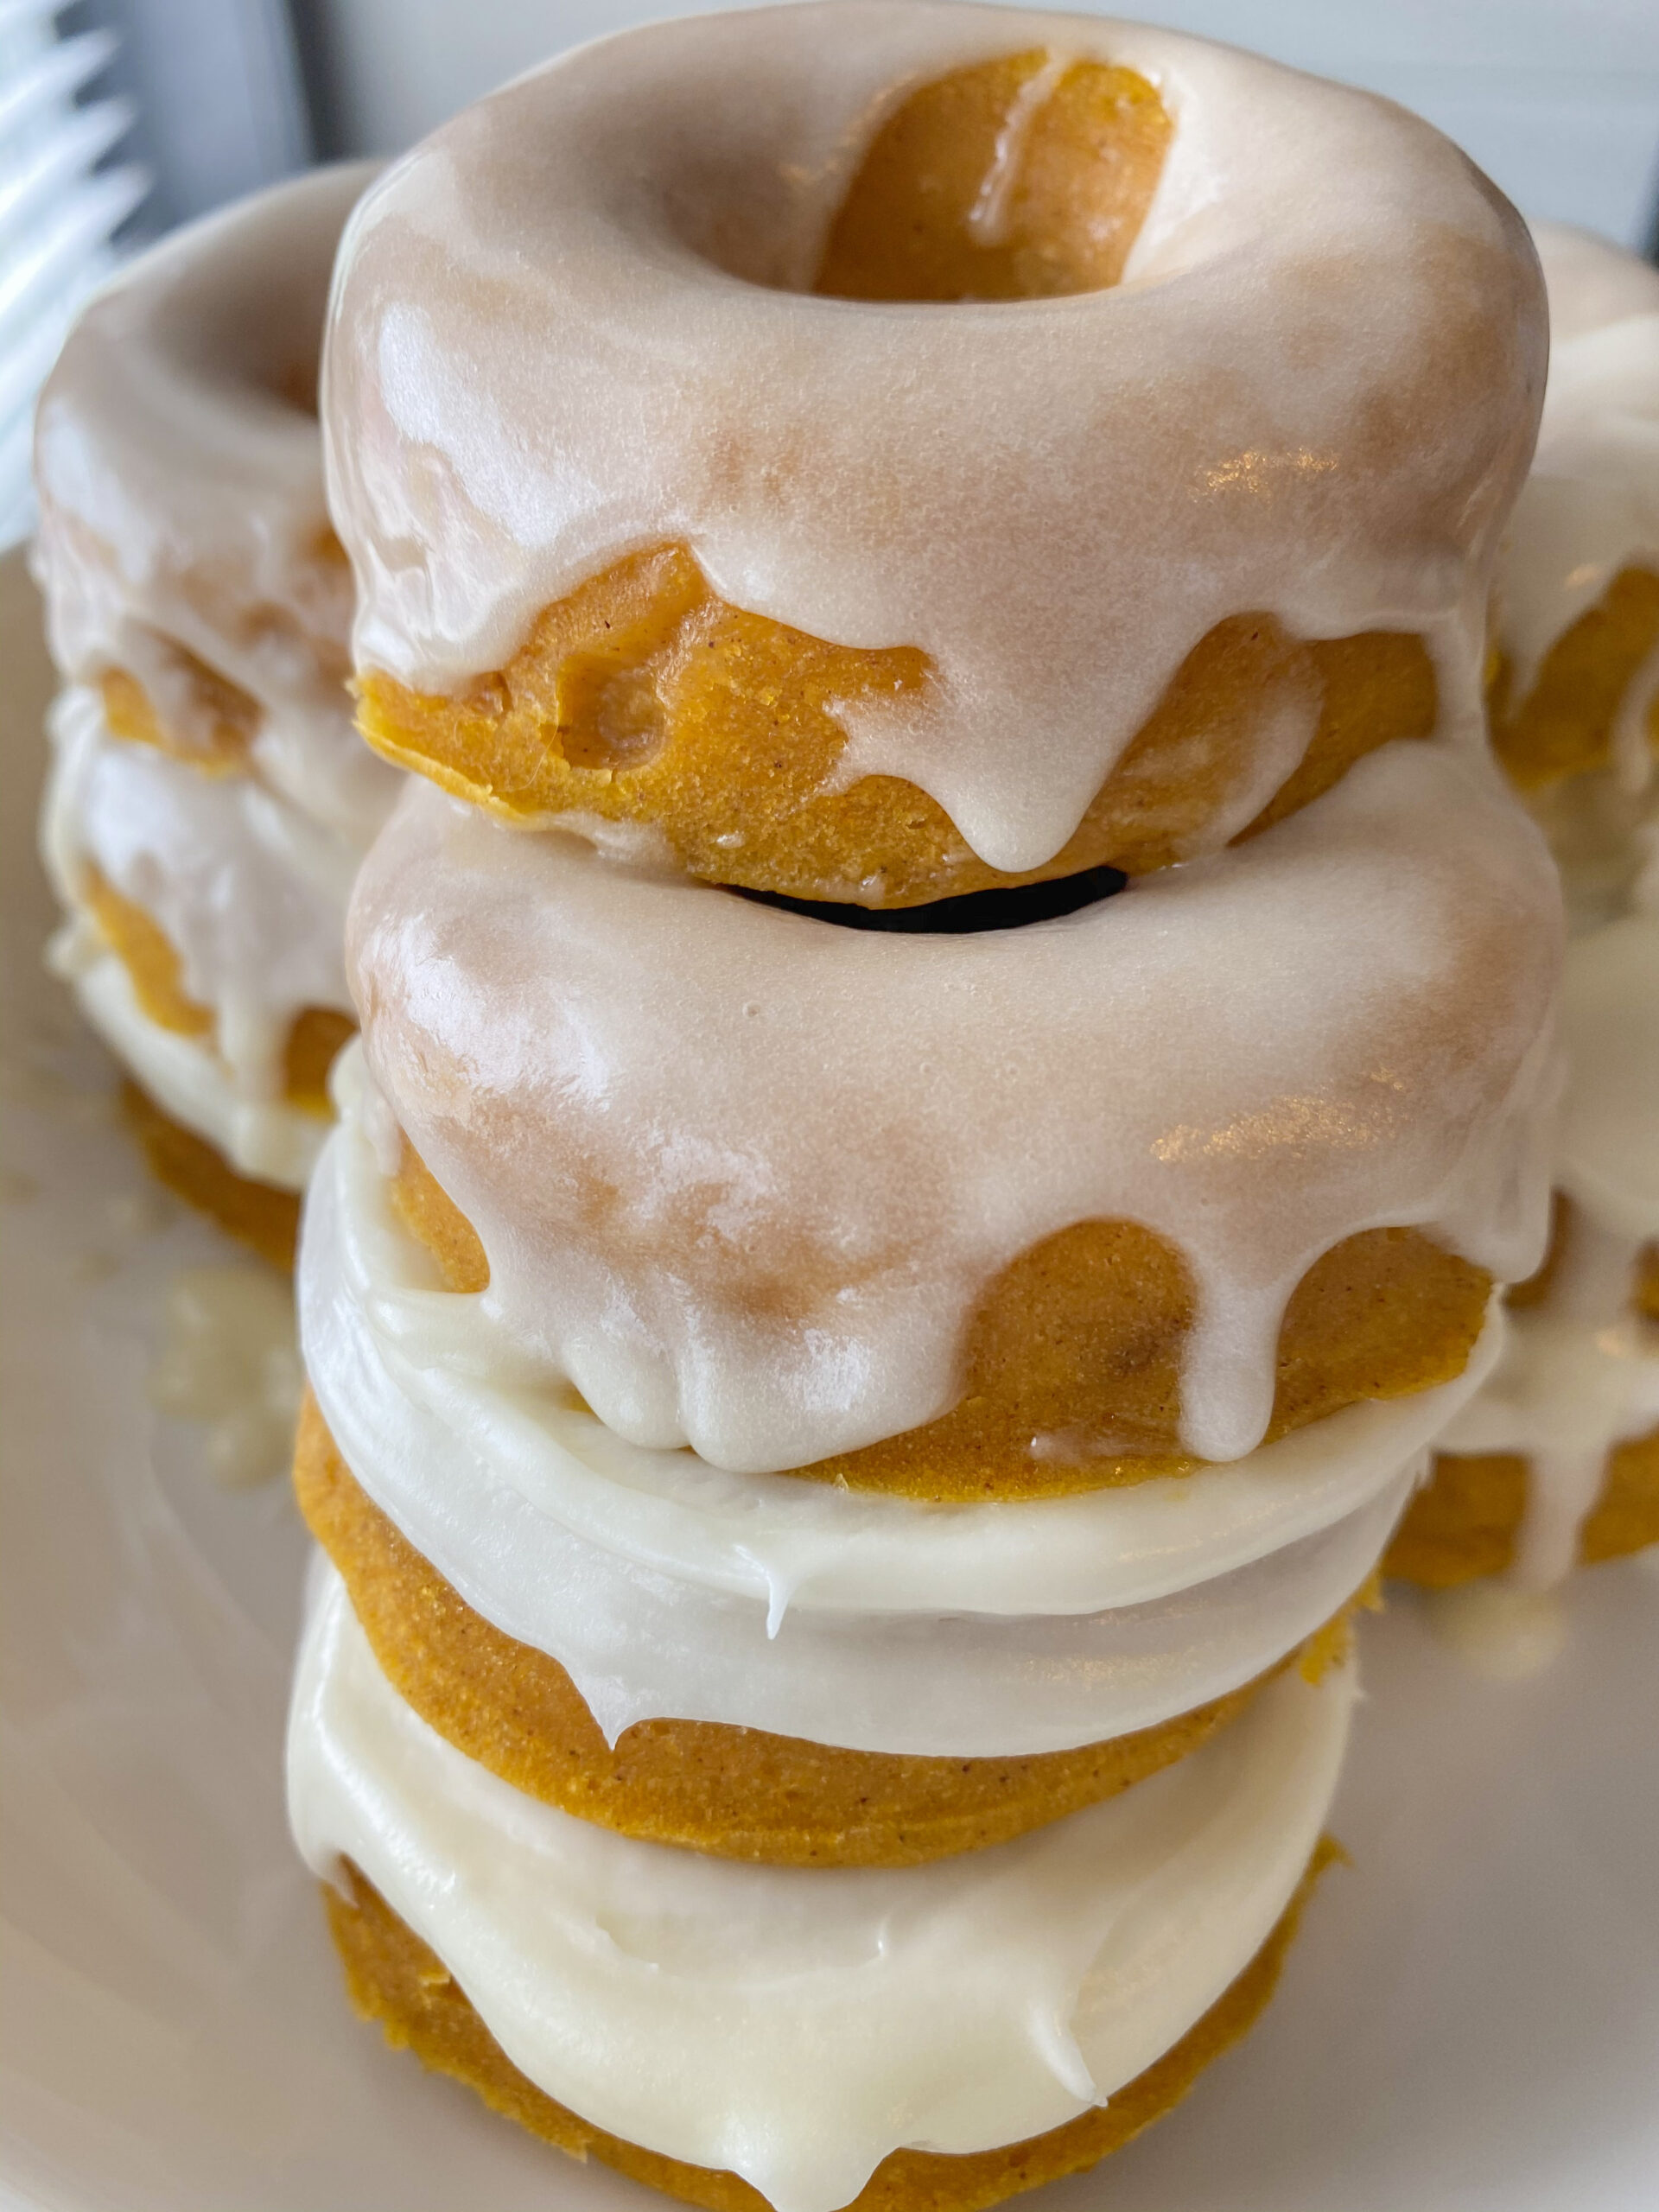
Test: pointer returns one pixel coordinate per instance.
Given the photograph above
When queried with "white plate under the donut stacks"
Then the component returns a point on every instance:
(1468, 2025)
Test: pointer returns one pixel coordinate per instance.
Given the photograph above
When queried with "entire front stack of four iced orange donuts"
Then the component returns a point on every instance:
(957, 1043)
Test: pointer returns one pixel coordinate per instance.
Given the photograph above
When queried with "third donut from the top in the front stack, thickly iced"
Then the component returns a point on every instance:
(561, 1574)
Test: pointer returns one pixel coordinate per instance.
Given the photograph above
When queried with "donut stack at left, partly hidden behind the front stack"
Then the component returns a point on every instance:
(209, 802)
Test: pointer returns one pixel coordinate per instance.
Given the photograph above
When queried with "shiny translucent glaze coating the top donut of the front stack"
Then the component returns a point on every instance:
(574, 324)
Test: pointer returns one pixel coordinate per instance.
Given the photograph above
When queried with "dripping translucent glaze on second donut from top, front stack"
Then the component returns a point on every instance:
(742, 1176)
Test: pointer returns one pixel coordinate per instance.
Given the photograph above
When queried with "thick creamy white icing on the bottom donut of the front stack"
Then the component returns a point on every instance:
(797, 2025)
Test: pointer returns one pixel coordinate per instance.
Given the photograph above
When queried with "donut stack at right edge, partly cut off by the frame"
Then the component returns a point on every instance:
(1558, 1461)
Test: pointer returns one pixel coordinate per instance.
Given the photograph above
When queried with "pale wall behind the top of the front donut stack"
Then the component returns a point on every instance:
(1556, 98)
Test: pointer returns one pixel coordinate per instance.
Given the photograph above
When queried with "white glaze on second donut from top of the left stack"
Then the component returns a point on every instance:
(249, 890)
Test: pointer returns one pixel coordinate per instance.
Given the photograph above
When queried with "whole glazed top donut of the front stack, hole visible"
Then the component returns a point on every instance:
(689, 508)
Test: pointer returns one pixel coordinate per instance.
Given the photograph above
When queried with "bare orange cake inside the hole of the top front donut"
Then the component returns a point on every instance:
(1023, 178)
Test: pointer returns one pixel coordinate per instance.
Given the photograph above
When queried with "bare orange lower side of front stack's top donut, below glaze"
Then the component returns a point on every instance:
(645, 700)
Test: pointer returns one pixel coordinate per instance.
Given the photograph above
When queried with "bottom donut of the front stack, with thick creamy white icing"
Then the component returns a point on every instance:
(607, 1901)
